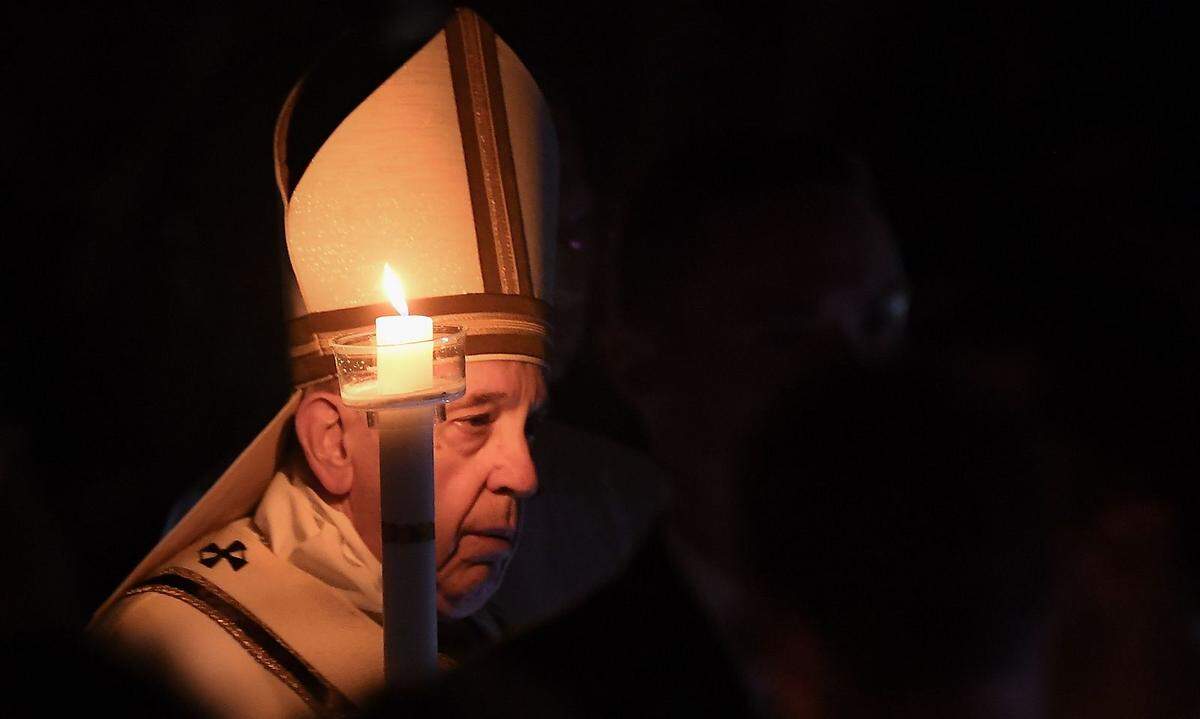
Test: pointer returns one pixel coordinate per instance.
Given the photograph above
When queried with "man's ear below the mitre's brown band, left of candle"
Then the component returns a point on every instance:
(321, 429)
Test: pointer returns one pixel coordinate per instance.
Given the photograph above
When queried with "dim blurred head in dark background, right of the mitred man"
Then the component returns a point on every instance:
(745, 266)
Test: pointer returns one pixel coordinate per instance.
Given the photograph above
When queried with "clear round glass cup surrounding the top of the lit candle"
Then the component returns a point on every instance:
(374, 378)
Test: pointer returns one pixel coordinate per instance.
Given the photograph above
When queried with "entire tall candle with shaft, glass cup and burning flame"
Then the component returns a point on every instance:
(399, 375)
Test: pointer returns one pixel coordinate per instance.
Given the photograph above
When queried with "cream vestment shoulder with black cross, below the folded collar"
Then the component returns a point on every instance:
(227, 606)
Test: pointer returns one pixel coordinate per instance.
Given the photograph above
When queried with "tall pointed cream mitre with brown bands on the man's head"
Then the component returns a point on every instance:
(447, 171)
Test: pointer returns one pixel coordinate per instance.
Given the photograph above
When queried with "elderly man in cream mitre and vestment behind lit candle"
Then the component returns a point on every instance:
(267, 598)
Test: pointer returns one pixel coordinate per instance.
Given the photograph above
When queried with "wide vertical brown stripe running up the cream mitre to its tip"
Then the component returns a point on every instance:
(488, 151)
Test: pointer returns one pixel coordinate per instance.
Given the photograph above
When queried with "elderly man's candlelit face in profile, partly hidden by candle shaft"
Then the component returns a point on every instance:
(483, 470)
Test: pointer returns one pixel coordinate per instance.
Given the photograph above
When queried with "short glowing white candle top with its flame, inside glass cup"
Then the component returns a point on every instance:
(404, 362)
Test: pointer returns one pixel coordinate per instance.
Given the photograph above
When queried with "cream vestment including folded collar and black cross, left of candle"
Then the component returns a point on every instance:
(277, 615)
